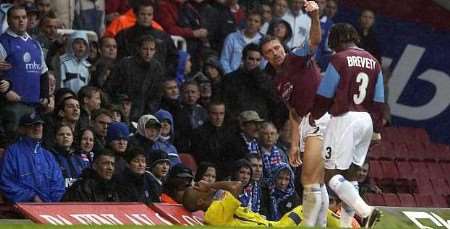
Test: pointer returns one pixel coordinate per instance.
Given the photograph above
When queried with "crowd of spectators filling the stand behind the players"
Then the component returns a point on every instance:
(103, 112)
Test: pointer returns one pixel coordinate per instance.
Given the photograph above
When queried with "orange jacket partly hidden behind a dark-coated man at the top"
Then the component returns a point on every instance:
(126, 20)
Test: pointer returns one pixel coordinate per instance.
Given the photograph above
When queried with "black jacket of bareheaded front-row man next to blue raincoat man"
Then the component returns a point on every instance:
(92, 188)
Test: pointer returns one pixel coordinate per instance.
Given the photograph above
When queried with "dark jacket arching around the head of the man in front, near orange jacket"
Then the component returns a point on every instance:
(166, 53)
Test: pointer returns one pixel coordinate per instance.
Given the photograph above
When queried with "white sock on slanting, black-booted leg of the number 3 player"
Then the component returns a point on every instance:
(349, 195)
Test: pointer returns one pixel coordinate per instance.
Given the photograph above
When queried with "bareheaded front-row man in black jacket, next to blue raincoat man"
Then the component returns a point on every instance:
(96, 183)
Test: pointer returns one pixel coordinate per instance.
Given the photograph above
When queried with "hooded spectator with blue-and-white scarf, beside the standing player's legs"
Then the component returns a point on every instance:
(283, 196)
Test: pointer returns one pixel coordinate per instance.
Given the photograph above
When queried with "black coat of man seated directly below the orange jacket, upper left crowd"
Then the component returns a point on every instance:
(141, 81)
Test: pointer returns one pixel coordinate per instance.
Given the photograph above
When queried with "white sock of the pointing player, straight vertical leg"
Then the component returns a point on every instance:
(312, 201)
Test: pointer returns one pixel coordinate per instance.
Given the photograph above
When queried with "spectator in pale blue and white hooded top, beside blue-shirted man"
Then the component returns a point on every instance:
(74, 67)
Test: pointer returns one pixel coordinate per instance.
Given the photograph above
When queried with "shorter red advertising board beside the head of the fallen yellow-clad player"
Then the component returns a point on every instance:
(177, 214)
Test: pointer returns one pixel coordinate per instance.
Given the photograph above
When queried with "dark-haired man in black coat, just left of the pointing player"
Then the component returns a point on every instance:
(249, 88)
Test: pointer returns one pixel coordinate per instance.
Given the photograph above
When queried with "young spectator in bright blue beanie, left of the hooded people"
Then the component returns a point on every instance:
(117, 141)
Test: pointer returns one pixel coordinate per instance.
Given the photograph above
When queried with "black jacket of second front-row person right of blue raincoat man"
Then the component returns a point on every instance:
(139, 188)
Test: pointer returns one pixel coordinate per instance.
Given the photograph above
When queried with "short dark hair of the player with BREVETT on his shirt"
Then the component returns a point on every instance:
(342, 33)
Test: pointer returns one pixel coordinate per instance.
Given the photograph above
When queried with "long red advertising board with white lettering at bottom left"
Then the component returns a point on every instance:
(92, 213)
